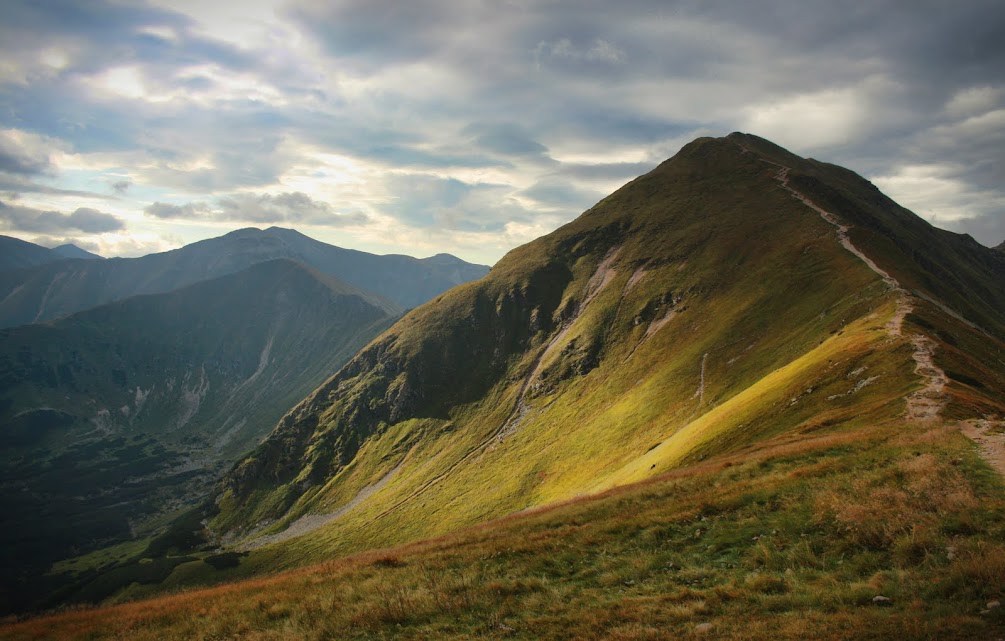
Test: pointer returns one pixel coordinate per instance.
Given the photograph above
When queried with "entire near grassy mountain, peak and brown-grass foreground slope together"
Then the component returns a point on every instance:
(745, 395)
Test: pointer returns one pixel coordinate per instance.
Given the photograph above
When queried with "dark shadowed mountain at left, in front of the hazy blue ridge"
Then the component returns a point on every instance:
(114, 416)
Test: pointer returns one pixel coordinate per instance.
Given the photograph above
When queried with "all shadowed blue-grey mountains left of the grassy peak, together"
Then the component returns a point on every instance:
(117, 414)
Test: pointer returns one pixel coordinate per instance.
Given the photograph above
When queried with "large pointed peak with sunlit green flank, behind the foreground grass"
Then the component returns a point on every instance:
(734, 294)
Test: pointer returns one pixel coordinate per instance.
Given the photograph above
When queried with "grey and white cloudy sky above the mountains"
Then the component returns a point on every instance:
(470, 127)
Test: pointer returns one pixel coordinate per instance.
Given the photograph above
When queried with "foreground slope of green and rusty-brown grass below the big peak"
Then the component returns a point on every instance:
(764, 544)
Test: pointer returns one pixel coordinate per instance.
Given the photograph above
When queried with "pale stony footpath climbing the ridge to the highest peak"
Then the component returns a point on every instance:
(928, 403)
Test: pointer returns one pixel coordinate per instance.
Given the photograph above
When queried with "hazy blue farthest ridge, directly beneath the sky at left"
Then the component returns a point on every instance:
(54, 291)
